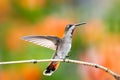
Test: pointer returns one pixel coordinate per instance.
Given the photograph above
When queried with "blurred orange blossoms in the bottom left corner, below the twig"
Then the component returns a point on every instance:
(25, 73)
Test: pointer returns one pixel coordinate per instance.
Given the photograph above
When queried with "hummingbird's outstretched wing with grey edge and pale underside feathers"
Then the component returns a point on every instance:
(45, 41)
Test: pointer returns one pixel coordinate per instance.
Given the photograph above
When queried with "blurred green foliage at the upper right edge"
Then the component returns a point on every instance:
(112, 18)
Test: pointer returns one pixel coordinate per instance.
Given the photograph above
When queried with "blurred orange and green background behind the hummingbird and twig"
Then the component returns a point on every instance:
(98, 41)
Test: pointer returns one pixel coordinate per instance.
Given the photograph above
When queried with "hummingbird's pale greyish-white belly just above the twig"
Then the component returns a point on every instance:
(63, 51)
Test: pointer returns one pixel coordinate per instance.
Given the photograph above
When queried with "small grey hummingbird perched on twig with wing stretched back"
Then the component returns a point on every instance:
(61, 46)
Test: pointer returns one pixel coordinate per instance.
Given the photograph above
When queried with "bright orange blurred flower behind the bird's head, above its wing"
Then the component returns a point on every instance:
(52, 26)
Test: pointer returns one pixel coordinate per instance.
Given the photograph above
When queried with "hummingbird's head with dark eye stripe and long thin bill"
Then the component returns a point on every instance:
(71, 27)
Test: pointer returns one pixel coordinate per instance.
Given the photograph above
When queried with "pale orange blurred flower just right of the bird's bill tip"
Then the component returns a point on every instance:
(93, 31)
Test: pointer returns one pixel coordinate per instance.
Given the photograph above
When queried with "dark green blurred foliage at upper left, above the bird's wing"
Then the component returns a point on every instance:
(34, 14)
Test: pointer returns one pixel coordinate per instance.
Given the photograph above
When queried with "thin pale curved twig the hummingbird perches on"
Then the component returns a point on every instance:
(116, 76)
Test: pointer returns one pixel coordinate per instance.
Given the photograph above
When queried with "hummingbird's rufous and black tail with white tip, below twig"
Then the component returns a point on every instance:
(51, 68)
